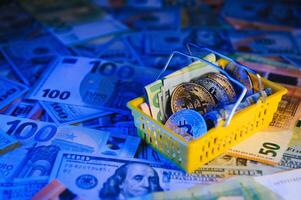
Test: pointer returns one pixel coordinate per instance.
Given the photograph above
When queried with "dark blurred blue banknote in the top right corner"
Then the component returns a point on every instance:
(282, 15)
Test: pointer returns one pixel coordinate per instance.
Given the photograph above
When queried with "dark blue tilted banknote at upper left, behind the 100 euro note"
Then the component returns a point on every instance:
(30, 58)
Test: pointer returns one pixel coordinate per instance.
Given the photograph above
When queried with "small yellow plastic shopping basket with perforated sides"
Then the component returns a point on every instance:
(194, 154)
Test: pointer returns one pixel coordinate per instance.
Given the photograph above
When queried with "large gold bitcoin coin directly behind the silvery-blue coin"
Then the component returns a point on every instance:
(191, 96)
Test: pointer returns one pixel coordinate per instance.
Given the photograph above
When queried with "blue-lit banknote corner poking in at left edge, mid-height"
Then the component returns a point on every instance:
(10, 90)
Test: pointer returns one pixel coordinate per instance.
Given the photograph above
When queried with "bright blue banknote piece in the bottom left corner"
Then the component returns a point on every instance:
(21, 189)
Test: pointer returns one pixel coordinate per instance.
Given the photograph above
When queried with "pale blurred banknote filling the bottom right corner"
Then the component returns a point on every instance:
(277, 186)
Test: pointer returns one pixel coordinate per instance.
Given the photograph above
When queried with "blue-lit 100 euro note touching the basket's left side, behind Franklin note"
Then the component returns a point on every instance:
(93, 83)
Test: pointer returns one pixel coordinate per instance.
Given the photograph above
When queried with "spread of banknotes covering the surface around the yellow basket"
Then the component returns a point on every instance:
(68, 68)
